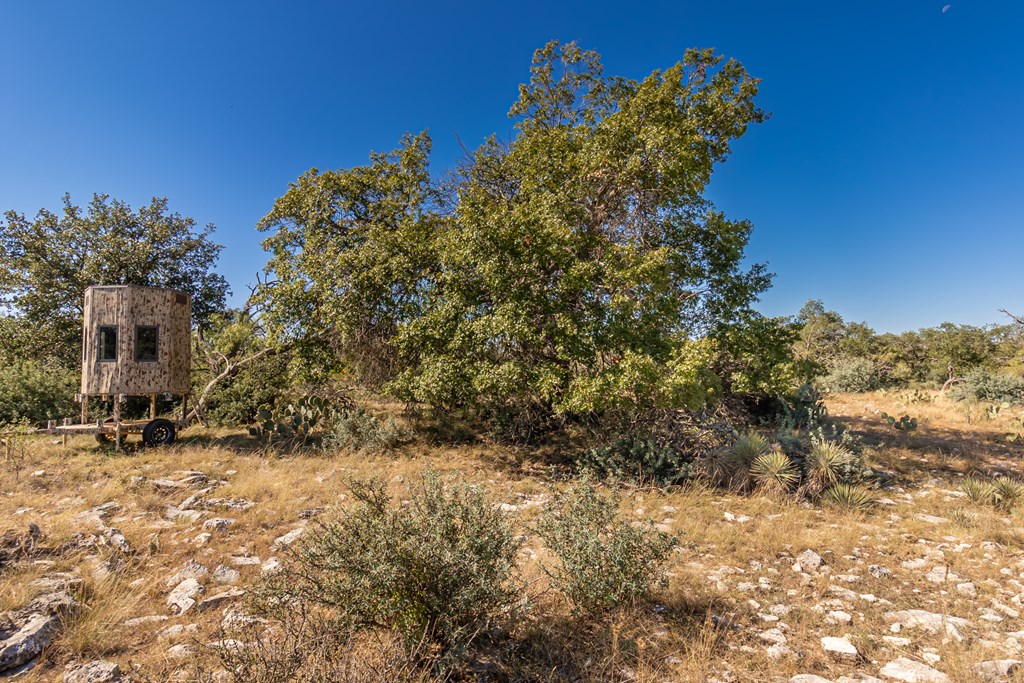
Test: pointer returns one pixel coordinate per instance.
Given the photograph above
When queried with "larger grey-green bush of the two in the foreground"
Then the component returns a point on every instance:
(440, 570)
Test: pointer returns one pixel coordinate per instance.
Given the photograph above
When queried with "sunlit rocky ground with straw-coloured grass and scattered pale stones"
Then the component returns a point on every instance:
(136, 567)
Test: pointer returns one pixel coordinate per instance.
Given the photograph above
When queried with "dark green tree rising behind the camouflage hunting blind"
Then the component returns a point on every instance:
(50, 261)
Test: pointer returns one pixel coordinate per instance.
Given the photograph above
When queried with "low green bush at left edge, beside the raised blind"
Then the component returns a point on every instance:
(36, 392)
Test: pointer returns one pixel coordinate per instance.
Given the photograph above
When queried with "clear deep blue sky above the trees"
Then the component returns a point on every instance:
(889, 182)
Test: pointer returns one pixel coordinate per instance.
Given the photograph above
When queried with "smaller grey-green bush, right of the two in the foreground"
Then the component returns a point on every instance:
(607, 563)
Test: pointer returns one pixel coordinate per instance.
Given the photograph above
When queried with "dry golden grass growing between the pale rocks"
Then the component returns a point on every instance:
(734, 569)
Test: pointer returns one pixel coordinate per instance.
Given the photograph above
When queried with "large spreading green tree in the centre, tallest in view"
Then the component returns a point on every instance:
(576, 270)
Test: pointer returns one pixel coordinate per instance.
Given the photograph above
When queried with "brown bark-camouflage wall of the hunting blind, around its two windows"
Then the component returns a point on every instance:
(125, 308)
